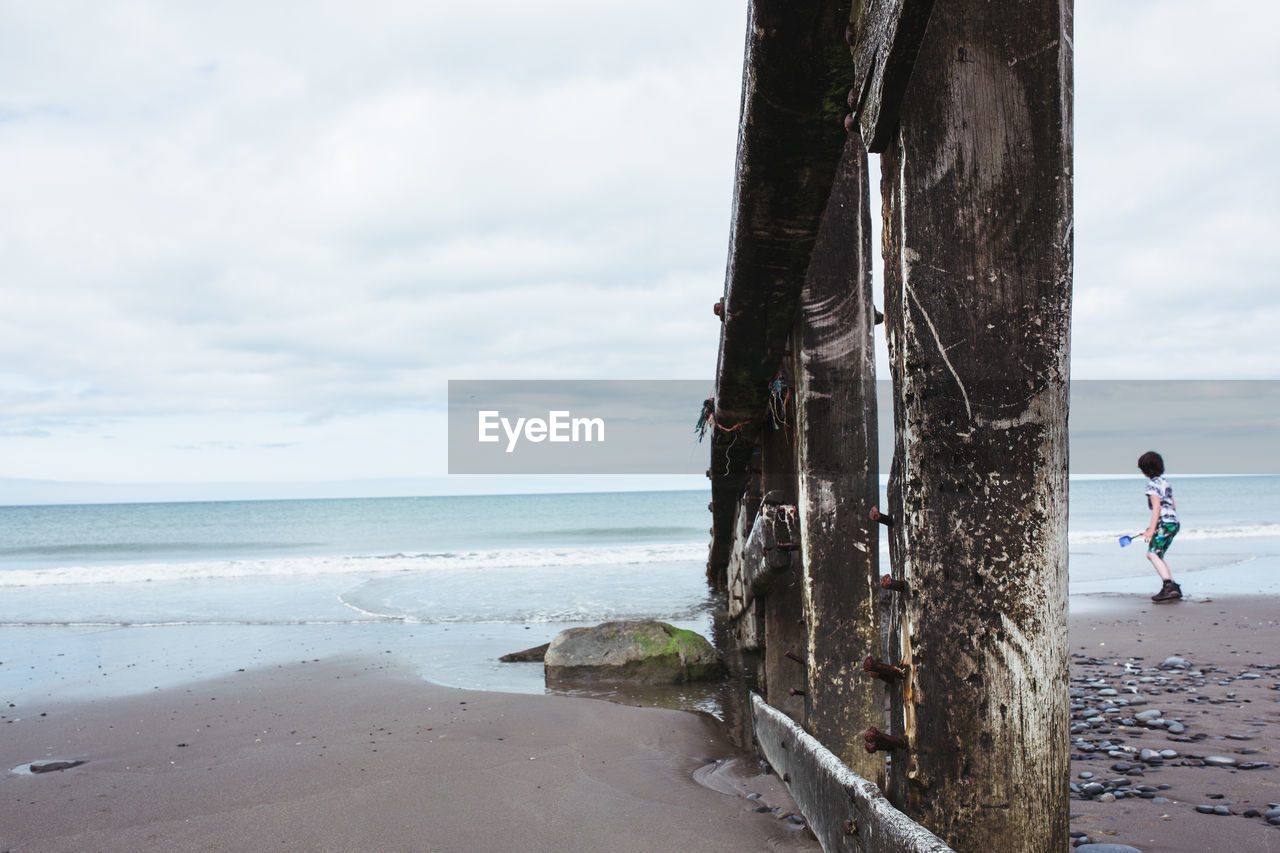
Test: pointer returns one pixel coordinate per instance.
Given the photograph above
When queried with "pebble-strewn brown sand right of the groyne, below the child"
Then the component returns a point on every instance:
(1224, 715)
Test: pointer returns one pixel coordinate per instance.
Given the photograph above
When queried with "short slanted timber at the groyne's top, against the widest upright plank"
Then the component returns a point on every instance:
(886, 38)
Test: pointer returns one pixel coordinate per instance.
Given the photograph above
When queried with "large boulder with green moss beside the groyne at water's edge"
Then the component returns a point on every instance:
(636, 653)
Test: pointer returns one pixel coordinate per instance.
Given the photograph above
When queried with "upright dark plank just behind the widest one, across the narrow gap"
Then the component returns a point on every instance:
(838, 463)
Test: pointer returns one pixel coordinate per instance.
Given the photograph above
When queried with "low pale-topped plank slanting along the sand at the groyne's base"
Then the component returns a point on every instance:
(830, 795)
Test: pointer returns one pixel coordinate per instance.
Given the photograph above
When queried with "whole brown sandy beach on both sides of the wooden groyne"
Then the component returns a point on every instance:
(360, 754)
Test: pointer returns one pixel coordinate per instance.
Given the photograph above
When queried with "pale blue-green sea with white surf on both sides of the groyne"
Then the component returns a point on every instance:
(121, 599)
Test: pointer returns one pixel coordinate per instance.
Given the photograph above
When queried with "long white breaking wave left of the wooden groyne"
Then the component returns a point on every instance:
(355, 565)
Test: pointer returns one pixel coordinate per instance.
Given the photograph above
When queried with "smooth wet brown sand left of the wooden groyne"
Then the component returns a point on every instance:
(359, 755)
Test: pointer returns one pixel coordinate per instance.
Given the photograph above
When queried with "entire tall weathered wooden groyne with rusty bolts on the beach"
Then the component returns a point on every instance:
(943, 681)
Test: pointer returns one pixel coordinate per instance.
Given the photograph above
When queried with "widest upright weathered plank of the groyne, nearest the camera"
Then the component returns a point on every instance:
(979, 297)
